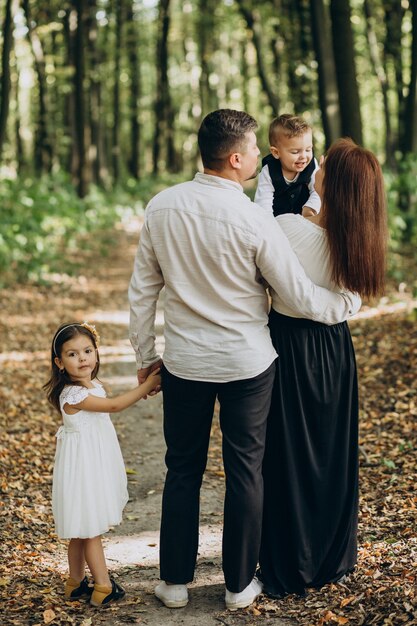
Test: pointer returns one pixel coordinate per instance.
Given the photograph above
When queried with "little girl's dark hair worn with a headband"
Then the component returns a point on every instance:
(59, 379)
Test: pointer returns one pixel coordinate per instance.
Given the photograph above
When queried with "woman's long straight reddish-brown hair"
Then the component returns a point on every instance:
(354, 215)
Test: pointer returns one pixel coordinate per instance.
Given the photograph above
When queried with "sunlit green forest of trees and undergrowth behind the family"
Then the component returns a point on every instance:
(100, 101)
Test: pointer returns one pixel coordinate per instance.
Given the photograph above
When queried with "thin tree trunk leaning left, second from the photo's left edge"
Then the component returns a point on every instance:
(43, 148)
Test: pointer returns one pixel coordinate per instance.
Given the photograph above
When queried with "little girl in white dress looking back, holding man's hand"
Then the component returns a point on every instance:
(89, 482)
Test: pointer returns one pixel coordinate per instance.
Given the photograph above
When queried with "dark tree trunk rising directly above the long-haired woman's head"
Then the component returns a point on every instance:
(344, 57)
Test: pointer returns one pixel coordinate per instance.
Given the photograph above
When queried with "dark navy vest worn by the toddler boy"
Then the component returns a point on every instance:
(288, 198)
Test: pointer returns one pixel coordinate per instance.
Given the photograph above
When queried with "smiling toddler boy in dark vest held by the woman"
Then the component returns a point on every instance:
(286, 181)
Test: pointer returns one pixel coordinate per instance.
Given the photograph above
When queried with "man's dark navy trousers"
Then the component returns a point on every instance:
(188, 414)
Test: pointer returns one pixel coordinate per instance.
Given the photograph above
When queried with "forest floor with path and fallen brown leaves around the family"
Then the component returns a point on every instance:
(381, 591)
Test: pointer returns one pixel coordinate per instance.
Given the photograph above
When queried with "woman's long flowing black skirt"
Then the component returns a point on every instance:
(311, 458)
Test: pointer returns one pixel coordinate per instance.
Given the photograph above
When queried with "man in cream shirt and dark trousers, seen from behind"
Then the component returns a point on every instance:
(211, 247)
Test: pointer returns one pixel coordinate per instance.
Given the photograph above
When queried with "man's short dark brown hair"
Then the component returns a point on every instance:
(221, 133)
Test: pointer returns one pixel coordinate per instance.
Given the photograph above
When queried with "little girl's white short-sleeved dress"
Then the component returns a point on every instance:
(89, 488)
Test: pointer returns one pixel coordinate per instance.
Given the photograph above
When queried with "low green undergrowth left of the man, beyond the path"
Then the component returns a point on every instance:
(44, 225)
